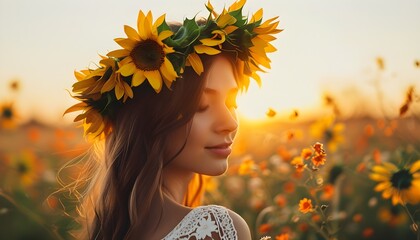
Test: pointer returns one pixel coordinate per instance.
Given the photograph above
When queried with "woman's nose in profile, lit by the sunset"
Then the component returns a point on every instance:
(226, 121)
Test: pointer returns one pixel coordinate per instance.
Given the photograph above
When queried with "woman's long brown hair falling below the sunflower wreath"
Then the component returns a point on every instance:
(124, 177)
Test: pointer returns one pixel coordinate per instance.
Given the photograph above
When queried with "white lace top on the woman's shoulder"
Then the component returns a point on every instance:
(205, 222)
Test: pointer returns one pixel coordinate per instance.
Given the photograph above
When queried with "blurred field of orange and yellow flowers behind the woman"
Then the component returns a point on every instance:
(332, 177)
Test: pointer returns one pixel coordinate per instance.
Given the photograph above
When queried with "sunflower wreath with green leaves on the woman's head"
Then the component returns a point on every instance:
(157, 54)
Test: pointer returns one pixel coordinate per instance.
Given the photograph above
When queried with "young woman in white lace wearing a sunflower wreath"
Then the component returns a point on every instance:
(164, 109)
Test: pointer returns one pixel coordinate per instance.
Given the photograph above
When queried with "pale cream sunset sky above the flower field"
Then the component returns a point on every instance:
(326, 46)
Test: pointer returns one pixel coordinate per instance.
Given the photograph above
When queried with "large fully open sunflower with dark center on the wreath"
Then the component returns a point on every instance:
(144, 54)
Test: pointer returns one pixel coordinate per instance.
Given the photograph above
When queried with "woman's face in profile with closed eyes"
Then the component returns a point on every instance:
(213, 126)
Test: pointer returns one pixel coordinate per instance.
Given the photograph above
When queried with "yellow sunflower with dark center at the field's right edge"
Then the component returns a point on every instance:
(400, 184)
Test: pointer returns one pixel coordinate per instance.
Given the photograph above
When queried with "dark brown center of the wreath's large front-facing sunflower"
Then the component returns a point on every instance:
(148, 55)
